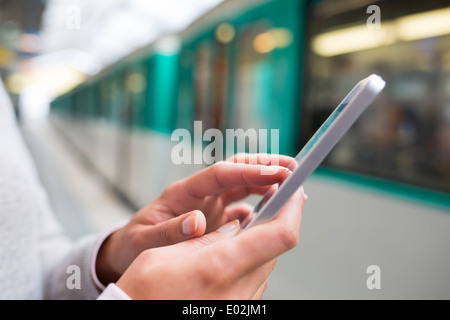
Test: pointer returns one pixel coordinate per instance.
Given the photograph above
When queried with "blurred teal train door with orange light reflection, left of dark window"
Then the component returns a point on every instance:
(264, 75)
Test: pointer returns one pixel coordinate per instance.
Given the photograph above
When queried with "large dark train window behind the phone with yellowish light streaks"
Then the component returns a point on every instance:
(404, 136)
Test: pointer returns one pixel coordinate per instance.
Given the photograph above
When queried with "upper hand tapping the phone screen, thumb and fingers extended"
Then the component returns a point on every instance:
(190, 207)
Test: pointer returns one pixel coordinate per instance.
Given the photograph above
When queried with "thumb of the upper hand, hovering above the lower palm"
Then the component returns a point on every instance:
(178, 229)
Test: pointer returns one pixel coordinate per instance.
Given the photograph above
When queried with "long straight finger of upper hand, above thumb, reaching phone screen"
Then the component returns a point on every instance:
(225, 175)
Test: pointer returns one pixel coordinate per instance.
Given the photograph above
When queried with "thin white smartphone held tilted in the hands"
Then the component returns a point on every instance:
(316, 149)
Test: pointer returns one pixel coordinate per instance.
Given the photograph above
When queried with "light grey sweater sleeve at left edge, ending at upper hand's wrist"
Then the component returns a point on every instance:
(38, 260)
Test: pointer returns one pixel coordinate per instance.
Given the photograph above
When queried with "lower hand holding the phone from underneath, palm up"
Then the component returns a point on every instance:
(224, 264)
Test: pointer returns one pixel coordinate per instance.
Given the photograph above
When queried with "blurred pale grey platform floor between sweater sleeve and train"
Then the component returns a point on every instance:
(81, 199)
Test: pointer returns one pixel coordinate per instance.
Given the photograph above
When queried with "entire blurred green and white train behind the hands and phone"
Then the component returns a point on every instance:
(382, 196)
